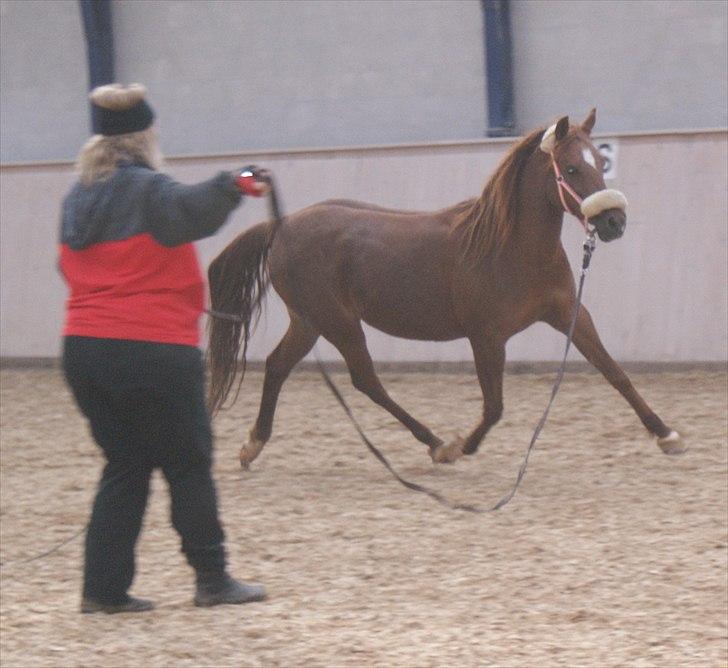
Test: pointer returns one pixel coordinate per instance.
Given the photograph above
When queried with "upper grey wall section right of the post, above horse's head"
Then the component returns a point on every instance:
(646, 64)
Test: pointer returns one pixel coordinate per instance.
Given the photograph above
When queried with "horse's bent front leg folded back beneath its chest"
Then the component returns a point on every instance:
(490, 357)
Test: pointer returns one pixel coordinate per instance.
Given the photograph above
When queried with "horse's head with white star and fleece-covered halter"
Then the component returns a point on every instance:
(579, 182)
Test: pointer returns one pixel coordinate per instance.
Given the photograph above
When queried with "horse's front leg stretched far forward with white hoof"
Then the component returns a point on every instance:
(587, 341)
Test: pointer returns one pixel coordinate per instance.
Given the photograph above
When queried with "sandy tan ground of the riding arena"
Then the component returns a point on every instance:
(611, 554)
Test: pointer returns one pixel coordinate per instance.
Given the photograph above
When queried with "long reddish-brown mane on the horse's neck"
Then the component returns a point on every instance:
(487, 223)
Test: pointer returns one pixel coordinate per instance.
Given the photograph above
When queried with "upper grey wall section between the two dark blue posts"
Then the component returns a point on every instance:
(232, 76)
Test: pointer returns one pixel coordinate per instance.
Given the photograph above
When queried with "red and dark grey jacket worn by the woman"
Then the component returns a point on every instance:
(127, 256)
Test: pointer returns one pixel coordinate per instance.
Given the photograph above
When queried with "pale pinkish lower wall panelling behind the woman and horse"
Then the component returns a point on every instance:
(657, 294)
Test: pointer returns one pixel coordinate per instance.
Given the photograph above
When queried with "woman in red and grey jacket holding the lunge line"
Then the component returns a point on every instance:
(130, 350)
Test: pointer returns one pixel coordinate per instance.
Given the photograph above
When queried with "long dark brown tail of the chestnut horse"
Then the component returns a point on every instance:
(238, 279)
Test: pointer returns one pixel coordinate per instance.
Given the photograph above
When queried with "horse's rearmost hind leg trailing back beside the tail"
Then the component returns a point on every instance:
(293, 347)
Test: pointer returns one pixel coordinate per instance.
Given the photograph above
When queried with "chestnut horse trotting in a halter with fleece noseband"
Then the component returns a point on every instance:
(484, 269)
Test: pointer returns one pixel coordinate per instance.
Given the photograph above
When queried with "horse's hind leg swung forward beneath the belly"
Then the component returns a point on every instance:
(351, 343)
